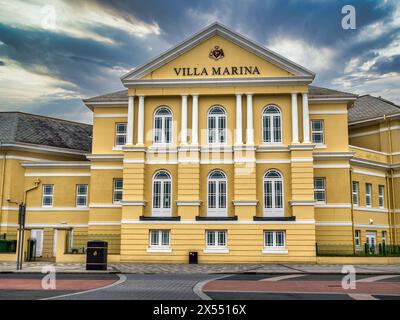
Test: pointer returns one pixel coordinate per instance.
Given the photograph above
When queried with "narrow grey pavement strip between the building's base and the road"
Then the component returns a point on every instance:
(146, 268)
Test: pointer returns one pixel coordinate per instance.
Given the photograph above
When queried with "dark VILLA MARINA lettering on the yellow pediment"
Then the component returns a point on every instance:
(218, 71)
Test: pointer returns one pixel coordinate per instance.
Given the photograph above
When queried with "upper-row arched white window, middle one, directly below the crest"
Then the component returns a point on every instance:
(216, 125)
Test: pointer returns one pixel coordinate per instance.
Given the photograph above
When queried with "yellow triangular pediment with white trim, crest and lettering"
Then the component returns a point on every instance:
(217, 53)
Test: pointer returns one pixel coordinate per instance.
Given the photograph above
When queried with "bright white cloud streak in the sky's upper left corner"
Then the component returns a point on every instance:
(74, 18)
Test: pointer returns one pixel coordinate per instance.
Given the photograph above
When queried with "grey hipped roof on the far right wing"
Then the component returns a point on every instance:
(368, 107)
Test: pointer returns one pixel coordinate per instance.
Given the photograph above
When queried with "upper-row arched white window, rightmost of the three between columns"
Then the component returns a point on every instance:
(272, 125)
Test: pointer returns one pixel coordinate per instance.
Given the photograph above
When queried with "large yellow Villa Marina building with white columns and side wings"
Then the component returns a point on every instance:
(218, 146)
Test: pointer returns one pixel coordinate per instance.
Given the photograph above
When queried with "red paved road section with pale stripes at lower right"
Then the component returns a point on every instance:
(303, 287)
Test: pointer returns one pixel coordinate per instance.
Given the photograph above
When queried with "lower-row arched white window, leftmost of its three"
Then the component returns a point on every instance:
(162, 189)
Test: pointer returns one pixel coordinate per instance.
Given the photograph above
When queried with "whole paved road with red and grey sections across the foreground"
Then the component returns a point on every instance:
(291, 286)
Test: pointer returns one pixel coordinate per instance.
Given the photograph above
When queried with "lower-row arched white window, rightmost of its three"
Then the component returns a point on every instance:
(273, 193)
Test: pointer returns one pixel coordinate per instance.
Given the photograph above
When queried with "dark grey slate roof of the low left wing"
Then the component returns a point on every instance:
(19, 127)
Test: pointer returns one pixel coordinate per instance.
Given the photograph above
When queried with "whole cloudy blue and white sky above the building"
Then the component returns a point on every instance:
(54, 53)
